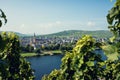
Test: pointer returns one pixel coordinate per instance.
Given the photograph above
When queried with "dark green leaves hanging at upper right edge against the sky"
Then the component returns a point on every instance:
(113, 19)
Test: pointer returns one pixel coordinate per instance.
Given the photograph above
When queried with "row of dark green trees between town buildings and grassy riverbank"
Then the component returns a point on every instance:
(62, 47)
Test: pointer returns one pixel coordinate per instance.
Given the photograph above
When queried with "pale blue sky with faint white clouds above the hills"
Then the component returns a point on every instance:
(51, 16)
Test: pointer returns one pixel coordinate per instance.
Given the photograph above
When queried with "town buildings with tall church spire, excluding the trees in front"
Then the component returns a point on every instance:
(37, 42)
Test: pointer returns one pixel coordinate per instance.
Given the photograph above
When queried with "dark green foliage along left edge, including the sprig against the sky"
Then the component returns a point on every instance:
(12, 65)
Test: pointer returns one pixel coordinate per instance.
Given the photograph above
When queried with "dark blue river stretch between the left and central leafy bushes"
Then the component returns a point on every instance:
(44, 64)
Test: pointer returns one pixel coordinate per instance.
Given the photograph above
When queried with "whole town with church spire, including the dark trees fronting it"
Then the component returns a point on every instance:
(52, 43)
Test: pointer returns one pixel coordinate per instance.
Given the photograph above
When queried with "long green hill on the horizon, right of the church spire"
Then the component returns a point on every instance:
(79, 33)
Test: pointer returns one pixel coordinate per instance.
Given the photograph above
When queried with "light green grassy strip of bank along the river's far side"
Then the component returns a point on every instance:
(55, 52)
